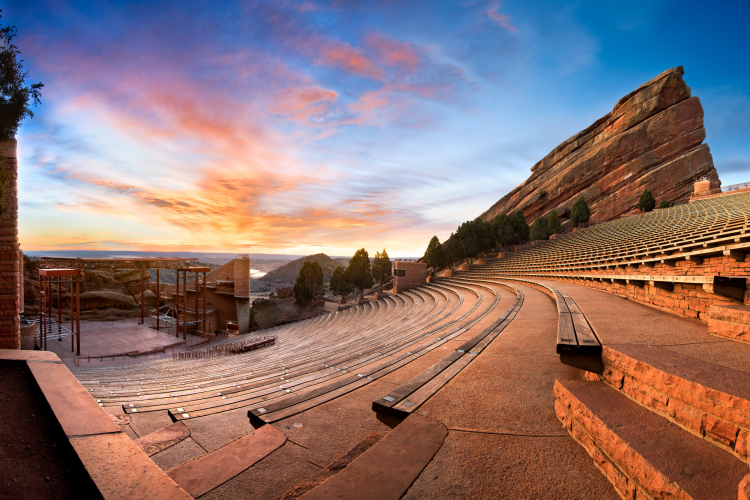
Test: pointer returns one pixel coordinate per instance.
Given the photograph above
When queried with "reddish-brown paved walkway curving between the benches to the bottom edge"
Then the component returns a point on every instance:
(504, 440)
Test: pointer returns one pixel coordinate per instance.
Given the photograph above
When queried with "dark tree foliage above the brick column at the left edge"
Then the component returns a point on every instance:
(14, 94)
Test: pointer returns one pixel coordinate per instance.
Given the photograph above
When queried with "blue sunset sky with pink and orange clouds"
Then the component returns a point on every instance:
(304, 127)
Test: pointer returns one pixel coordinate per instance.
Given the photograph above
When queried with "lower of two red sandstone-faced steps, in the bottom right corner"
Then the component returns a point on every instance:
(644, 455)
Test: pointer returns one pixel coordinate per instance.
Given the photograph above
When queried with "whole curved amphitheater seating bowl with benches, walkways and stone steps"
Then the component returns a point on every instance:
(609, 362)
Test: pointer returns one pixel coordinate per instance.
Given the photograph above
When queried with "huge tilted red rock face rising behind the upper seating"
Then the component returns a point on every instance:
(652, 140)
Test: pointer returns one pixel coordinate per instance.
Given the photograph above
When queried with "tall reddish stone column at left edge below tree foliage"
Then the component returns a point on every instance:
(10, 333)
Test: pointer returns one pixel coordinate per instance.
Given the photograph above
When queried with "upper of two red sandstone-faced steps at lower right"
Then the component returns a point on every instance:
(708, 400)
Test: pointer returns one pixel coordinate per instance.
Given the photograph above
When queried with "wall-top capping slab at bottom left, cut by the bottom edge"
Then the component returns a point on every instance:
(121, 471)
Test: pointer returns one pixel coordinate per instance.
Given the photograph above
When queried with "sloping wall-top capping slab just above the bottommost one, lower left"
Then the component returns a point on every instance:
(75, 409)
